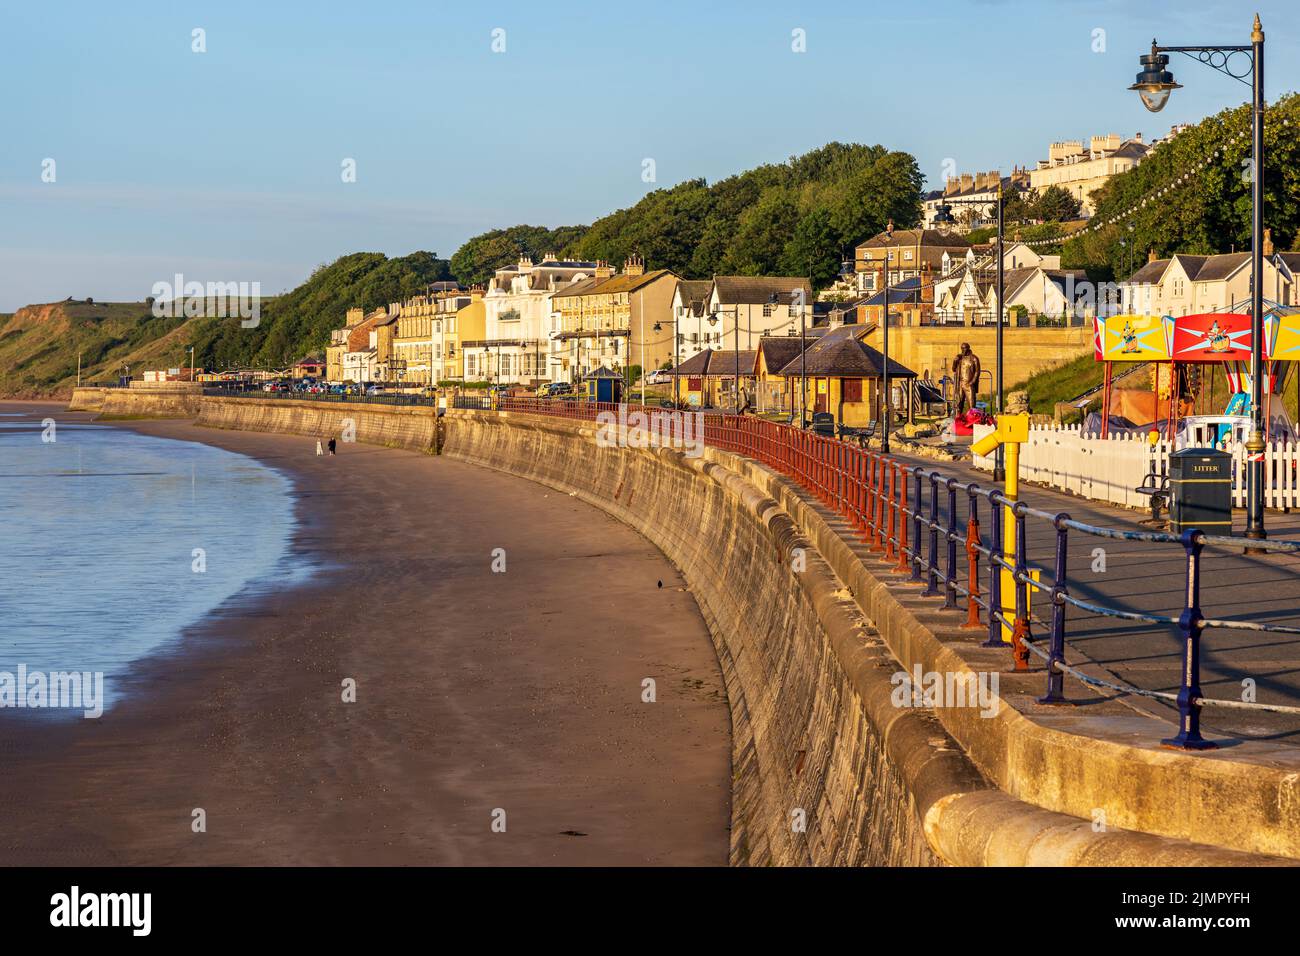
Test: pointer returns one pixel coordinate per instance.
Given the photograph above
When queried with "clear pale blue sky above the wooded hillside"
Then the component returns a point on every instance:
(229, 165)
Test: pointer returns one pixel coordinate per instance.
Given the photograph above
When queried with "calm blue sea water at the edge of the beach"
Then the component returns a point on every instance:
(102, 533)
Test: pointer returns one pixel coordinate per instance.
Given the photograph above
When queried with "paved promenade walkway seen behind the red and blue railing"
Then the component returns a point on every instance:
(1150, 578)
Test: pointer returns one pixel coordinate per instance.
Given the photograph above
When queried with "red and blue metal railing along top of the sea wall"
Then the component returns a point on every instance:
(895, 509)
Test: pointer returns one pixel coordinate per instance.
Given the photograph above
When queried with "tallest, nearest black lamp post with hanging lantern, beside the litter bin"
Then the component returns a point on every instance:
(1155, 84)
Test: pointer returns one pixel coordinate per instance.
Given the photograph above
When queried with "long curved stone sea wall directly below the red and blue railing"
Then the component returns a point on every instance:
(827, 769)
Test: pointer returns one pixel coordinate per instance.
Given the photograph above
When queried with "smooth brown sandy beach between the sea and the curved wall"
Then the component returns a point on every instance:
(476, 693)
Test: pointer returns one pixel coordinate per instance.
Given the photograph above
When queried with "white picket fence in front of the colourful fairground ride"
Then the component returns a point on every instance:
(1112, 469)
